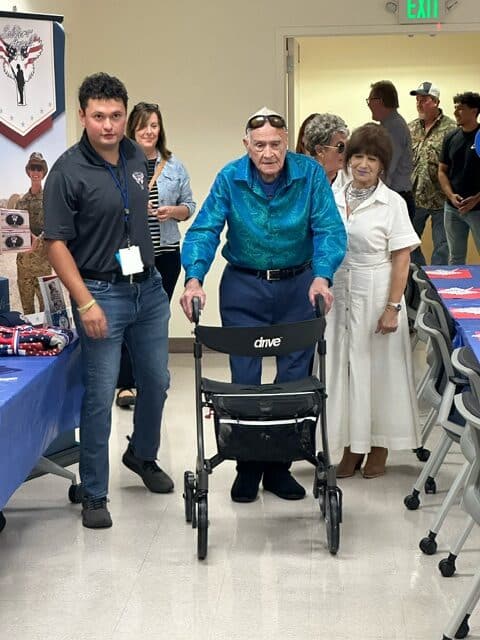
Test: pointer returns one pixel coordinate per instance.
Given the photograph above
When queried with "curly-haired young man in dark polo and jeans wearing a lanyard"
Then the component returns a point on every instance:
(99, 244)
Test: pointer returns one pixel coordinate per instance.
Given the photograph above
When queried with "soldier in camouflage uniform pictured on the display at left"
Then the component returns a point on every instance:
(34, 263)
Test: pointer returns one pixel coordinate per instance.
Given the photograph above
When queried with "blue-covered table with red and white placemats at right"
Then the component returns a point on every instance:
(459, 289)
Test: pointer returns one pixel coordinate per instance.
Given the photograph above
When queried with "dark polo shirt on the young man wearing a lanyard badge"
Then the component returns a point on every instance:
(84, 206)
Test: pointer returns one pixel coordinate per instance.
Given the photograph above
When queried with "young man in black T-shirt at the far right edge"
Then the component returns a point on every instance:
(459, 176)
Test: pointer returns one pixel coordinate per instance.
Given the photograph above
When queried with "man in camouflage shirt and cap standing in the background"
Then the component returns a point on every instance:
(428, 132)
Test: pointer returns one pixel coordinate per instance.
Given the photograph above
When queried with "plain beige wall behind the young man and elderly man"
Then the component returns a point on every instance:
(209, 64)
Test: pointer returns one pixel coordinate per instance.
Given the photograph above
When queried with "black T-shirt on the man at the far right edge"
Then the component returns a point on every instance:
(459, 154)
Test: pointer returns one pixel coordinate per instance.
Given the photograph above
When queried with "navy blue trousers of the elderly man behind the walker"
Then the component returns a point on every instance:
(247, 301)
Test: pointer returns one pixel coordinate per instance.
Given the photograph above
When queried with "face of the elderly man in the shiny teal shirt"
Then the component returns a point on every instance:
(267, 148)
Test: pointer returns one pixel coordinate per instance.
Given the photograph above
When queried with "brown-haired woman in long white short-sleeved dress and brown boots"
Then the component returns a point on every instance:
(371, 404)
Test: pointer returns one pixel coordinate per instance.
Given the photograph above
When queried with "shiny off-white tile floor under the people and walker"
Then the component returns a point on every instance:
(268, 574)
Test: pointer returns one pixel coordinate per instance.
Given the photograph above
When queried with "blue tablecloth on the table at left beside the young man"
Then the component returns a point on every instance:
(40, 402)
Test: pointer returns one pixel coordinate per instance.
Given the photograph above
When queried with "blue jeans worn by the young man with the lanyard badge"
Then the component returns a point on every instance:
(138, 313)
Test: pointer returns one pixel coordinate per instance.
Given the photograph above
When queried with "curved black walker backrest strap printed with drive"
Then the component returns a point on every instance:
(268, 340)
